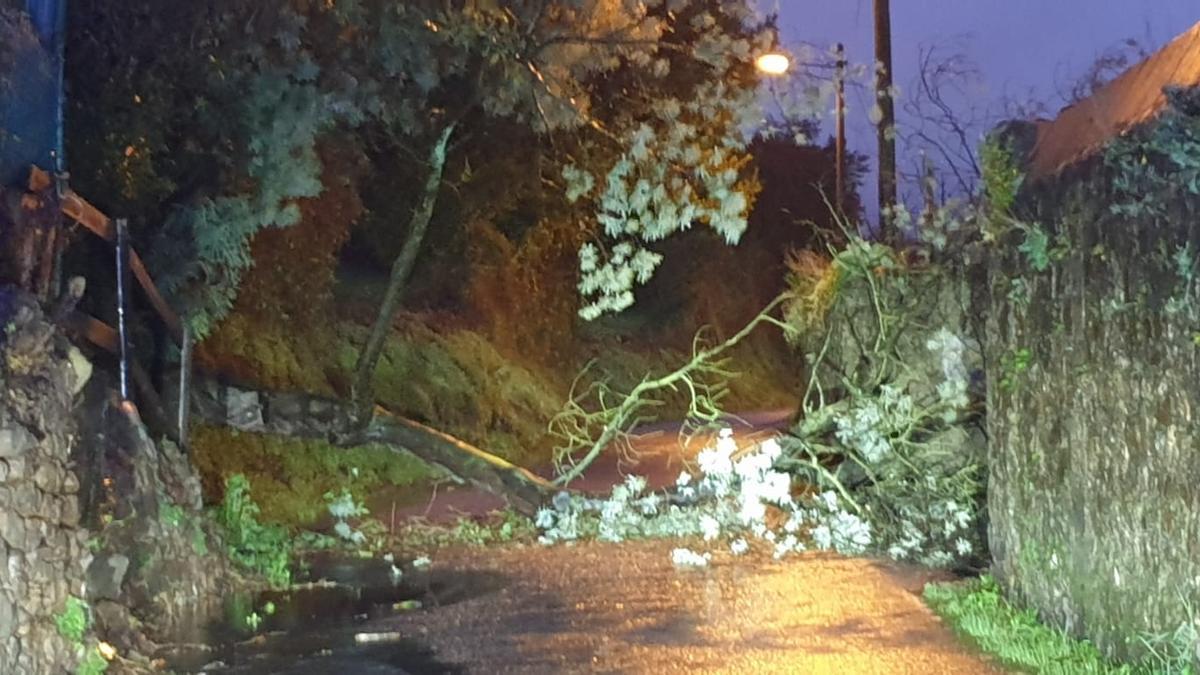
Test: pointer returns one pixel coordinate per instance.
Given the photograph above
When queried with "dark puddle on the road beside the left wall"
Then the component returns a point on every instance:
(313, 630)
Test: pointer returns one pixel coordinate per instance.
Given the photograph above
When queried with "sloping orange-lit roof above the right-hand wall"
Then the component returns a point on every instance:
(1130, 100)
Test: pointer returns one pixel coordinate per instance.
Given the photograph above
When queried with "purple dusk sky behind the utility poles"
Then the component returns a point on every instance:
(1023, 49)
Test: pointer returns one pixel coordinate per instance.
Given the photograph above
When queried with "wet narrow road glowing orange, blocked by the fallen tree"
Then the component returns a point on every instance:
(626, 608)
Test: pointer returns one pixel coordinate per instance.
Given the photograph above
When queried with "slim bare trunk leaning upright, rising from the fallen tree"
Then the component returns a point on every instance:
(362, 391)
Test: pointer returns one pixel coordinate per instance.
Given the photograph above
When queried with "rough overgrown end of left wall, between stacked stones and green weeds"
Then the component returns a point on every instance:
(160, 568)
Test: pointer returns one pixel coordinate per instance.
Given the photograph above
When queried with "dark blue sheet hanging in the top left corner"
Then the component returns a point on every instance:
(32, 94)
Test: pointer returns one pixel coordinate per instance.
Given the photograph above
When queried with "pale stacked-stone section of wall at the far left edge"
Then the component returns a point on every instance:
(43, 552)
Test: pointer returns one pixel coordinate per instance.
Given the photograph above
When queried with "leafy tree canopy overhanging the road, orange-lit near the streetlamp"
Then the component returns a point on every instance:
(645, 105)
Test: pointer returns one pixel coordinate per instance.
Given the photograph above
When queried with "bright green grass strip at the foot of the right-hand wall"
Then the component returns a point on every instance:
(1017, 640)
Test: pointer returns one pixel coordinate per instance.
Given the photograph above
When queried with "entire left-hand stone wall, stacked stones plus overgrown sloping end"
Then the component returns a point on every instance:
(73, 456)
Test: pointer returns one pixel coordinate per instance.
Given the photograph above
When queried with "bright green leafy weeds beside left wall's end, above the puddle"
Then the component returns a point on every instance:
(262, 549)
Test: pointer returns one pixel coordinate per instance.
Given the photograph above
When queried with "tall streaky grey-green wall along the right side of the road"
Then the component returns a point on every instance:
(1094, 371)
